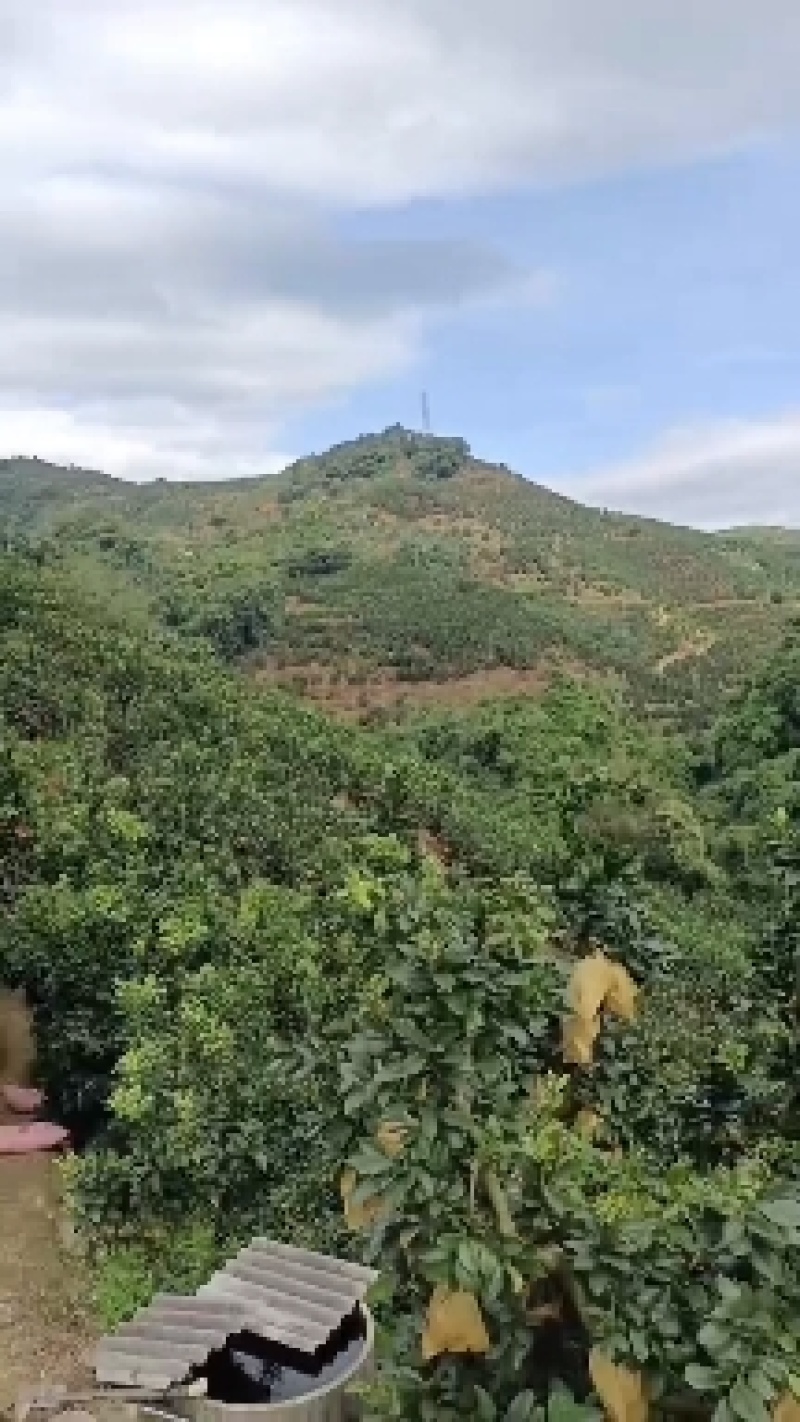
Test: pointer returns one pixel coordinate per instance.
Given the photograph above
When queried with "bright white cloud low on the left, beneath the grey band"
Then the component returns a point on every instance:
(202, 399)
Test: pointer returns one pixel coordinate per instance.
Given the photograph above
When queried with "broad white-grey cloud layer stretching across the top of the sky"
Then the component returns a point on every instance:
(370, 100)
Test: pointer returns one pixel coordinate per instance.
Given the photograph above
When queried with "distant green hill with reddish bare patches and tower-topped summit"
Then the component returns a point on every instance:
(399, 571)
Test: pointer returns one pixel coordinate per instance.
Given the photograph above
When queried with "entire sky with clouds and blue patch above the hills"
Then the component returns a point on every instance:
(237, 231)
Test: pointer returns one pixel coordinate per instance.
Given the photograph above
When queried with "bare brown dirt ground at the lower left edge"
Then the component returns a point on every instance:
(45, 1325)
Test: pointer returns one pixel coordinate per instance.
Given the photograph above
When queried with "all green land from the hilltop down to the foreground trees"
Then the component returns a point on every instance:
(495, 986)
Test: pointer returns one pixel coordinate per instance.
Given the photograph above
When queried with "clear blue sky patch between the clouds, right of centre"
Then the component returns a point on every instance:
(676, 302)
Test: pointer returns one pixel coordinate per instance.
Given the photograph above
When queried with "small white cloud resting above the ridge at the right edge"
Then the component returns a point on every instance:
(718, 477)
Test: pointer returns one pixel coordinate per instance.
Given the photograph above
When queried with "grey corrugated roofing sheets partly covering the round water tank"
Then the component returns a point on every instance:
(276, 1292)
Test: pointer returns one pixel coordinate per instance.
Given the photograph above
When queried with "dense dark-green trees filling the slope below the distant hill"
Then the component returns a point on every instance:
(502, 1000)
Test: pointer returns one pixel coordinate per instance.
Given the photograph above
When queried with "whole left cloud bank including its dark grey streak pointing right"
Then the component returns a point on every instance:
(224, 318)
